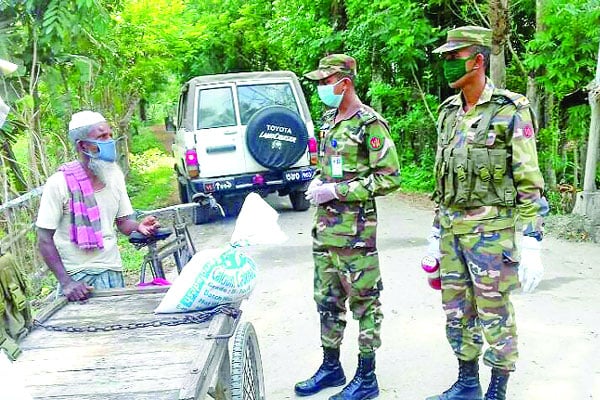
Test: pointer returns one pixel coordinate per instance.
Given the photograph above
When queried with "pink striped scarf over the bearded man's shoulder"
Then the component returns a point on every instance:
(86, 229)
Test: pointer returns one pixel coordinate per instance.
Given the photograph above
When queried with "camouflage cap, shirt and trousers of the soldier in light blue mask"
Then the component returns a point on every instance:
(344, 232)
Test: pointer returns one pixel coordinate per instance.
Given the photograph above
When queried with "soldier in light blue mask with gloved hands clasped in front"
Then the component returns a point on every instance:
(358, 161)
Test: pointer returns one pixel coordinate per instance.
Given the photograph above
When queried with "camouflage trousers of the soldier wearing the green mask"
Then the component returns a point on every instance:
(478, 271)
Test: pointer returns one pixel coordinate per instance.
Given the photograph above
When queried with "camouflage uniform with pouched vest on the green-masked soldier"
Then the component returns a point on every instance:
(487, 179)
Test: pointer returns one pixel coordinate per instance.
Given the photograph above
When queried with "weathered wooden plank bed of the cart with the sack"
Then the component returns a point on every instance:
(163, 362)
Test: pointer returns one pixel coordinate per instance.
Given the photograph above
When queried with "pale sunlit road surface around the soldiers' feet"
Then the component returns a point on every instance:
(559, 324)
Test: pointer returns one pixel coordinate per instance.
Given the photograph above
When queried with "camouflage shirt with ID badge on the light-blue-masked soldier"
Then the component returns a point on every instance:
(359, 155)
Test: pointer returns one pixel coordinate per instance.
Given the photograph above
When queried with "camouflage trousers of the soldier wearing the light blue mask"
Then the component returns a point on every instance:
(348, 274)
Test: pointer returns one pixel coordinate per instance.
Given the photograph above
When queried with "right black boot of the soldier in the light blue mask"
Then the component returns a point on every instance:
(364, 384)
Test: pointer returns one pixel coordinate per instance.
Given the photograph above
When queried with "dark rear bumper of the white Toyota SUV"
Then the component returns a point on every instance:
(266, 182)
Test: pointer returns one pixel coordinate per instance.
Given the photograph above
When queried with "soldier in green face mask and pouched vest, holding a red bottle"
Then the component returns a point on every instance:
(487, 179)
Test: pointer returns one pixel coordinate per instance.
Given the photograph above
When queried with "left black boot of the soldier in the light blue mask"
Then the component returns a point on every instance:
(329, 374)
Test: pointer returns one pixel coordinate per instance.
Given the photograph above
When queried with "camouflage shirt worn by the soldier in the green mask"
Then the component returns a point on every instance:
(509, 126)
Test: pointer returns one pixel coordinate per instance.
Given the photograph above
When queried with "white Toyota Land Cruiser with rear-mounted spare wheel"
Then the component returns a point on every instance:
(240, 133)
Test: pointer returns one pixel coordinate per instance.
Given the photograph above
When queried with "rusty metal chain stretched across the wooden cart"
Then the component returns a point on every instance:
(195, 318)
